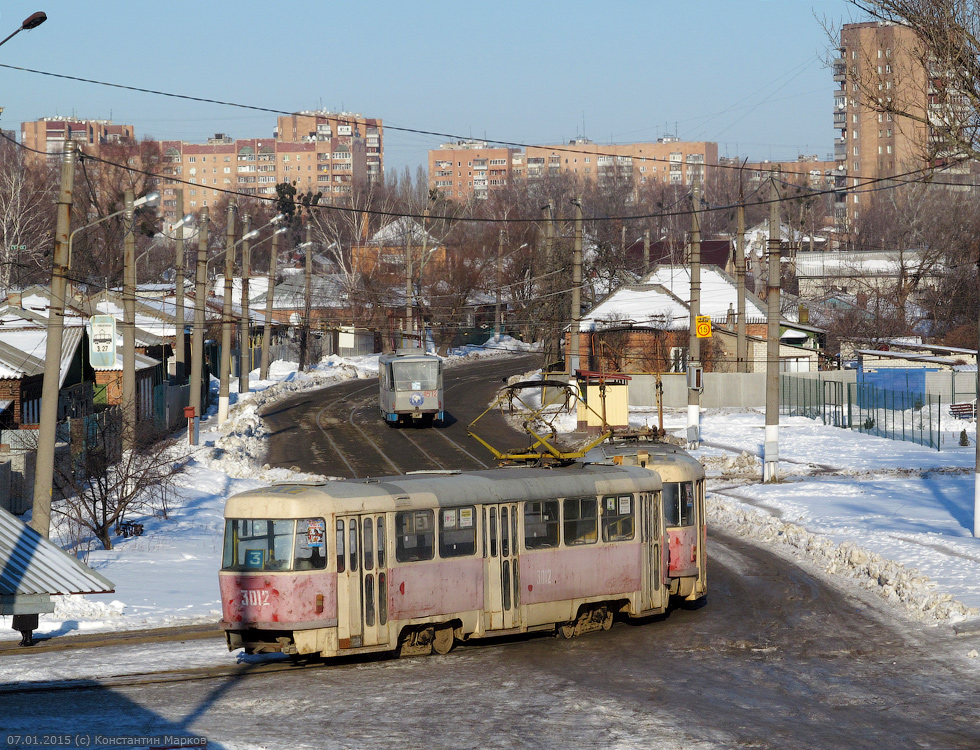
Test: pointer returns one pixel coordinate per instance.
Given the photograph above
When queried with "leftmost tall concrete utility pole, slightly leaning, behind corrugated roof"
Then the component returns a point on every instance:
(54, 332)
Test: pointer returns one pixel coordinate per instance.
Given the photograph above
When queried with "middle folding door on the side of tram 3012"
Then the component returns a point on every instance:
(501, 580)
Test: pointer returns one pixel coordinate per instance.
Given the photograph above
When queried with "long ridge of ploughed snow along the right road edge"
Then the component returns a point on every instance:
(906, 587)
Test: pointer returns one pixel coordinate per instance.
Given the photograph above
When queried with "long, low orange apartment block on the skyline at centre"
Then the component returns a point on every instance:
(472, 168)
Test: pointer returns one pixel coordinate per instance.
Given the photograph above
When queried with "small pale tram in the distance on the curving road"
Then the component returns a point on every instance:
(410, 387)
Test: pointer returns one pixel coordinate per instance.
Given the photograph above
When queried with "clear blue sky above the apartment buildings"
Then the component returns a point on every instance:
(749, 74)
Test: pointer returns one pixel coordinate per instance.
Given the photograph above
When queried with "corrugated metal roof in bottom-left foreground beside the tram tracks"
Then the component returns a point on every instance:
(30, 564)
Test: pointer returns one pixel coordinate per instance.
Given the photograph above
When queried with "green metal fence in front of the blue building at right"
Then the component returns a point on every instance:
(897, 415)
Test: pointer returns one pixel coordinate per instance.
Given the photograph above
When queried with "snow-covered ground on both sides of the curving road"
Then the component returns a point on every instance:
(895, 516)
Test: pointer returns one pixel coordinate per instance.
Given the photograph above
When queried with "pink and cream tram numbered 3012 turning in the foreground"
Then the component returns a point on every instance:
(420, 561)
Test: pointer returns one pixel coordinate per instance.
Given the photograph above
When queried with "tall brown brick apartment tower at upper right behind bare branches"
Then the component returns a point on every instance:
(876, 61)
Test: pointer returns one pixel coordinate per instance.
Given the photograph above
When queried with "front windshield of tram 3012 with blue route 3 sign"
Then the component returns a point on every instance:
(274, 544)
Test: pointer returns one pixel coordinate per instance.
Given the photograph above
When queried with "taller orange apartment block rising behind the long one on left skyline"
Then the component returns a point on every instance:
(333, 132)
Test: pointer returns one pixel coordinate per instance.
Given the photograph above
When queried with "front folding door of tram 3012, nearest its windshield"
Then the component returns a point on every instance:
(362, 581)
